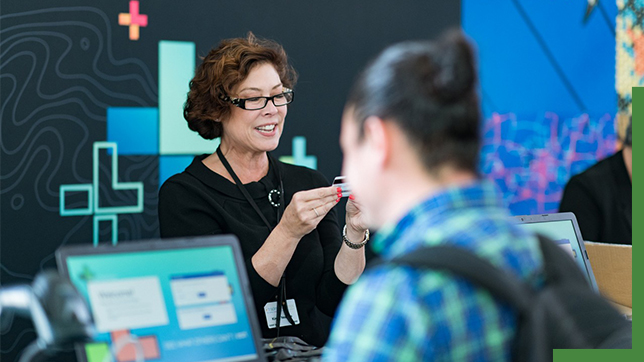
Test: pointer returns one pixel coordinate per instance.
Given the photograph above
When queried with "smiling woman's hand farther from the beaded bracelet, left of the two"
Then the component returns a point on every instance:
(307, 209)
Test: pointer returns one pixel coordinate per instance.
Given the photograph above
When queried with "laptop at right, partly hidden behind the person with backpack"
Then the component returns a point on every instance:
(564, 230)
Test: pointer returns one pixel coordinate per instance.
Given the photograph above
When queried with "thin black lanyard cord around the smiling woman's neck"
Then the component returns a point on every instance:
(282, 285)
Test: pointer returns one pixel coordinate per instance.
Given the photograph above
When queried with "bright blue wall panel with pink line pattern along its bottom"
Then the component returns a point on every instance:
(549, 99)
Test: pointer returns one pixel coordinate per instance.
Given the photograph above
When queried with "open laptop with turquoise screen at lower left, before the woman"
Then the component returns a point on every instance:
(174, 300)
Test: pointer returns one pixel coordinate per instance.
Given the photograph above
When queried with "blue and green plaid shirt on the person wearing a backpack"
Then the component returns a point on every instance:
(397, 313)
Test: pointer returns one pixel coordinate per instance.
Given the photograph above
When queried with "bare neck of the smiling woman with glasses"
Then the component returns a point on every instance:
(248, 166)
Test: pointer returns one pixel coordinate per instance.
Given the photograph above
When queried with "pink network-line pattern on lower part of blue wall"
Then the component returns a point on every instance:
(532, 159)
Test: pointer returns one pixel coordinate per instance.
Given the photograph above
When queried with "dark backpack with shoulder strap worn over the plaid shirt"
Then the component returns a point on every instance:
(564, 313)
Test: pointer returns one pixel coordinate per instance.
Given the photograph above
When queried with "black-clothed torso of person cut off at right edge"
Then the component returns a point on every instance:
(602, 197)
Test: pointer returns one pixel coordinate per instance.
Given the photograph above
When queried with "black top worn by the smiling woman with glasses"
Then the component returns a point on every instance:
(199, 201)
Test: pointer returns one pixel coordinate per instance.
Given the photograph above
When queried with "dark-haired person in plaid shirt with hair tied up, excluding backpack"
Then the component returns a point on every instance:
(411, 137)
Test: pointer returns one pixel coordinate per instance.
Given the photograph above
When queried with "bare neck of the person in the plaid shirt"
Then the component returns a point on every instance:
(409, 189)
